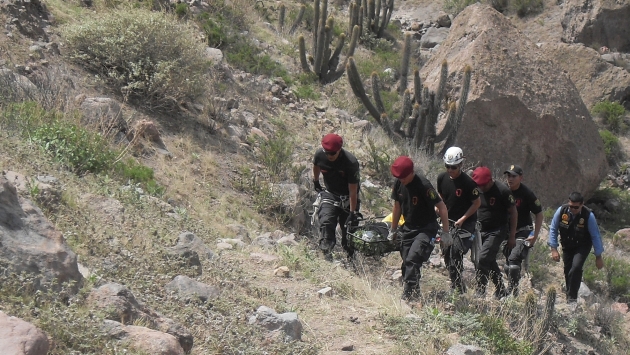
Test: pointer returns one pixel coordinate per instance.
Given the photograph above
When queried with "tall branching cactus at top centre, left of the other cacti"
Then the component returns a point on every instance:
(325, 61)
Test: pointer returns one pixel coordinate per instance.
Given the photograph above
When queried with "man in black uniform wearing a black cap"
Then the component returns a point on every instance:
(526, 235)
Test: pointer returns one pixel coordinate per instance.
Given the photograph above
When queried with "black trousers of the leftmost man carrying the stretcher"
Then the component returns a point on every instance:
(329, 216)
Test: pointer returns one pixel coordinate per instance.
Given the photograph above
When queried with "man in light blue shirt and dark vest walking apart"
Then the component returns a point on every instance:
(578, 230)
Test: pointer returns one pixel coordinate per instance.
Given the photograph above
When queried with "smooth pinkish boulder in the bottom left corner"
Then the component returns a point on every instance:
(18, 337)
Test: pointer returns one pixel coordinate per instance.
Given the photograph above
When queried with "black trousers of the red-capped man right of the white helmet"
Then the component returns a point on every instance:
(488, 267)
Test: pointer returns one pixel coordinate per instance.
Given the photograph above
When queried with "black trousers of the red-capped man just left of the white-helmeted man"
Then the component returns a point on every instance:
(416, 247)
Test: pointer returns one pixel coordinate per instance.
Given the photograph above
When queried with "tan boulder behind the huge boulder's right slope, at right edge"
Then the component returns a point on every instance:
(595, 79)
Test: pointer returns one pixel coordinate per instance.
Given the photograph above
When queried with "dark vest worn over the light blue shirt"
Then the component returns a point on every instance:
(574, 233)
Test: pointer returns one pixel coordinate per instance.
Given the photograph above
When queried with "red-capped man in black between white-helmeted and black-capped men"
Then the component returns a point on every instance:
(497, 204)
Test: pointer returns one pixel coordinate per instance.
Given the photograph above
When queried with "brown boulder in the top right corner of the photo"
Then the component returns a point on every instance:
(597, 23)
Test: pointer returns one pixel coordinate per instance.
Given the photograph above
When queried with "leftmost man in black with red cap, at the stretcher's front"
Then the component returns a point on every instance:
(340, 202)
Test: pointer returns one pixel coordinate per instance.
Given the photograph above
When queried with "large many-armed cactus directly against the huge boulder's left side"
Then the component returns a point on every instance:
(423, 115)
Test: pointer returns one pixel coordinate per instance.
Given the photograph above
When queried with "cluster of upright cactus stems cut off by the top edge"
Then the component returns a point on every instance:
(374, 14)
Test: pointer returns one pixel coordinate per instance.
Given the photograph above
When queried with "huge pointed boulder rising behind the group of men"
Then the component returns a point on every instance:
(521, 108)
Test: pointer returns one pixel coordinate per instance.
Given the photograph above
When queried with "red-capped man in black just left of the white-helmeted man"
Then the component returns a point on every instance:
(415, 199)
